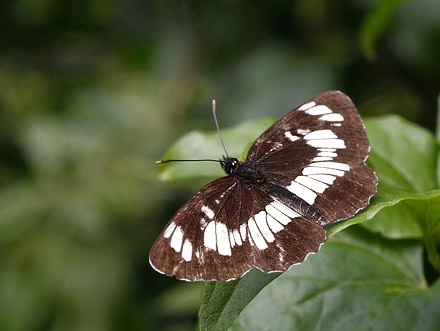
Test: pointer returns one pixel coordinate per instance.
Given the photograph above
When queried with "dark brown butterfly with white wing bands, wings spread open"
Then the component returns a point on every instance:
(305, 171)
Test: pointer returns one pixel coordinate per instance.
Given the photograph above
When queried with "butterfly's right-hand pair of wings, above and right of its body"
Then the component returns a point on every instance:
(317, 152)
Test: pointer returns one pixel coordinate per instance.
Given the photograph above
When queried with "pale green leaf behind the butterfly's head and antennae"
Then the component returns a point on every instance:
(200, 144)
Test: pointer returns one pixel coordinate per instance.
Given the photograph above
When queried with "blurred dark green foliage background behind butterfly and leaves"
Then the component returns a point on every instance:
(92, 92)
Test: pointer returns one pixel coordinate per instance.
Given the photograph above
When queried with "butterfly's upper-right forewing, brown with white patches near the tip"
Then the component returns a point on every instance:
(328, 122)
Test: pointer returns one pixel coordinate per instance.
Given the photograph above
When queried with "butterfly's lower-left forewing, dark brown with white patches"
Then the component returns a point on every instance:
(201, 223)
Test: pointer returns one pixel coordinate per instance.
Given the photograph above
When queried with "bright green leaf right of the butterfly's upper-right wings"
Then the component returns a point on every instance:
(404, 158)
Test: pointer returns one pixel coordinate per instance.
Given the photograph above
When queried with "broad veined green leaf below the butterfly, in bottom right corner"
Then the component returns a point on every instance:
(358, 281)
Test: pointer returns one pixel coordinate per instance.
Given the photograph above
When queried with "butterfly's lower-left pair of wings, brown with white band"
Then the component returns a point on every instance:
(227, 228)
